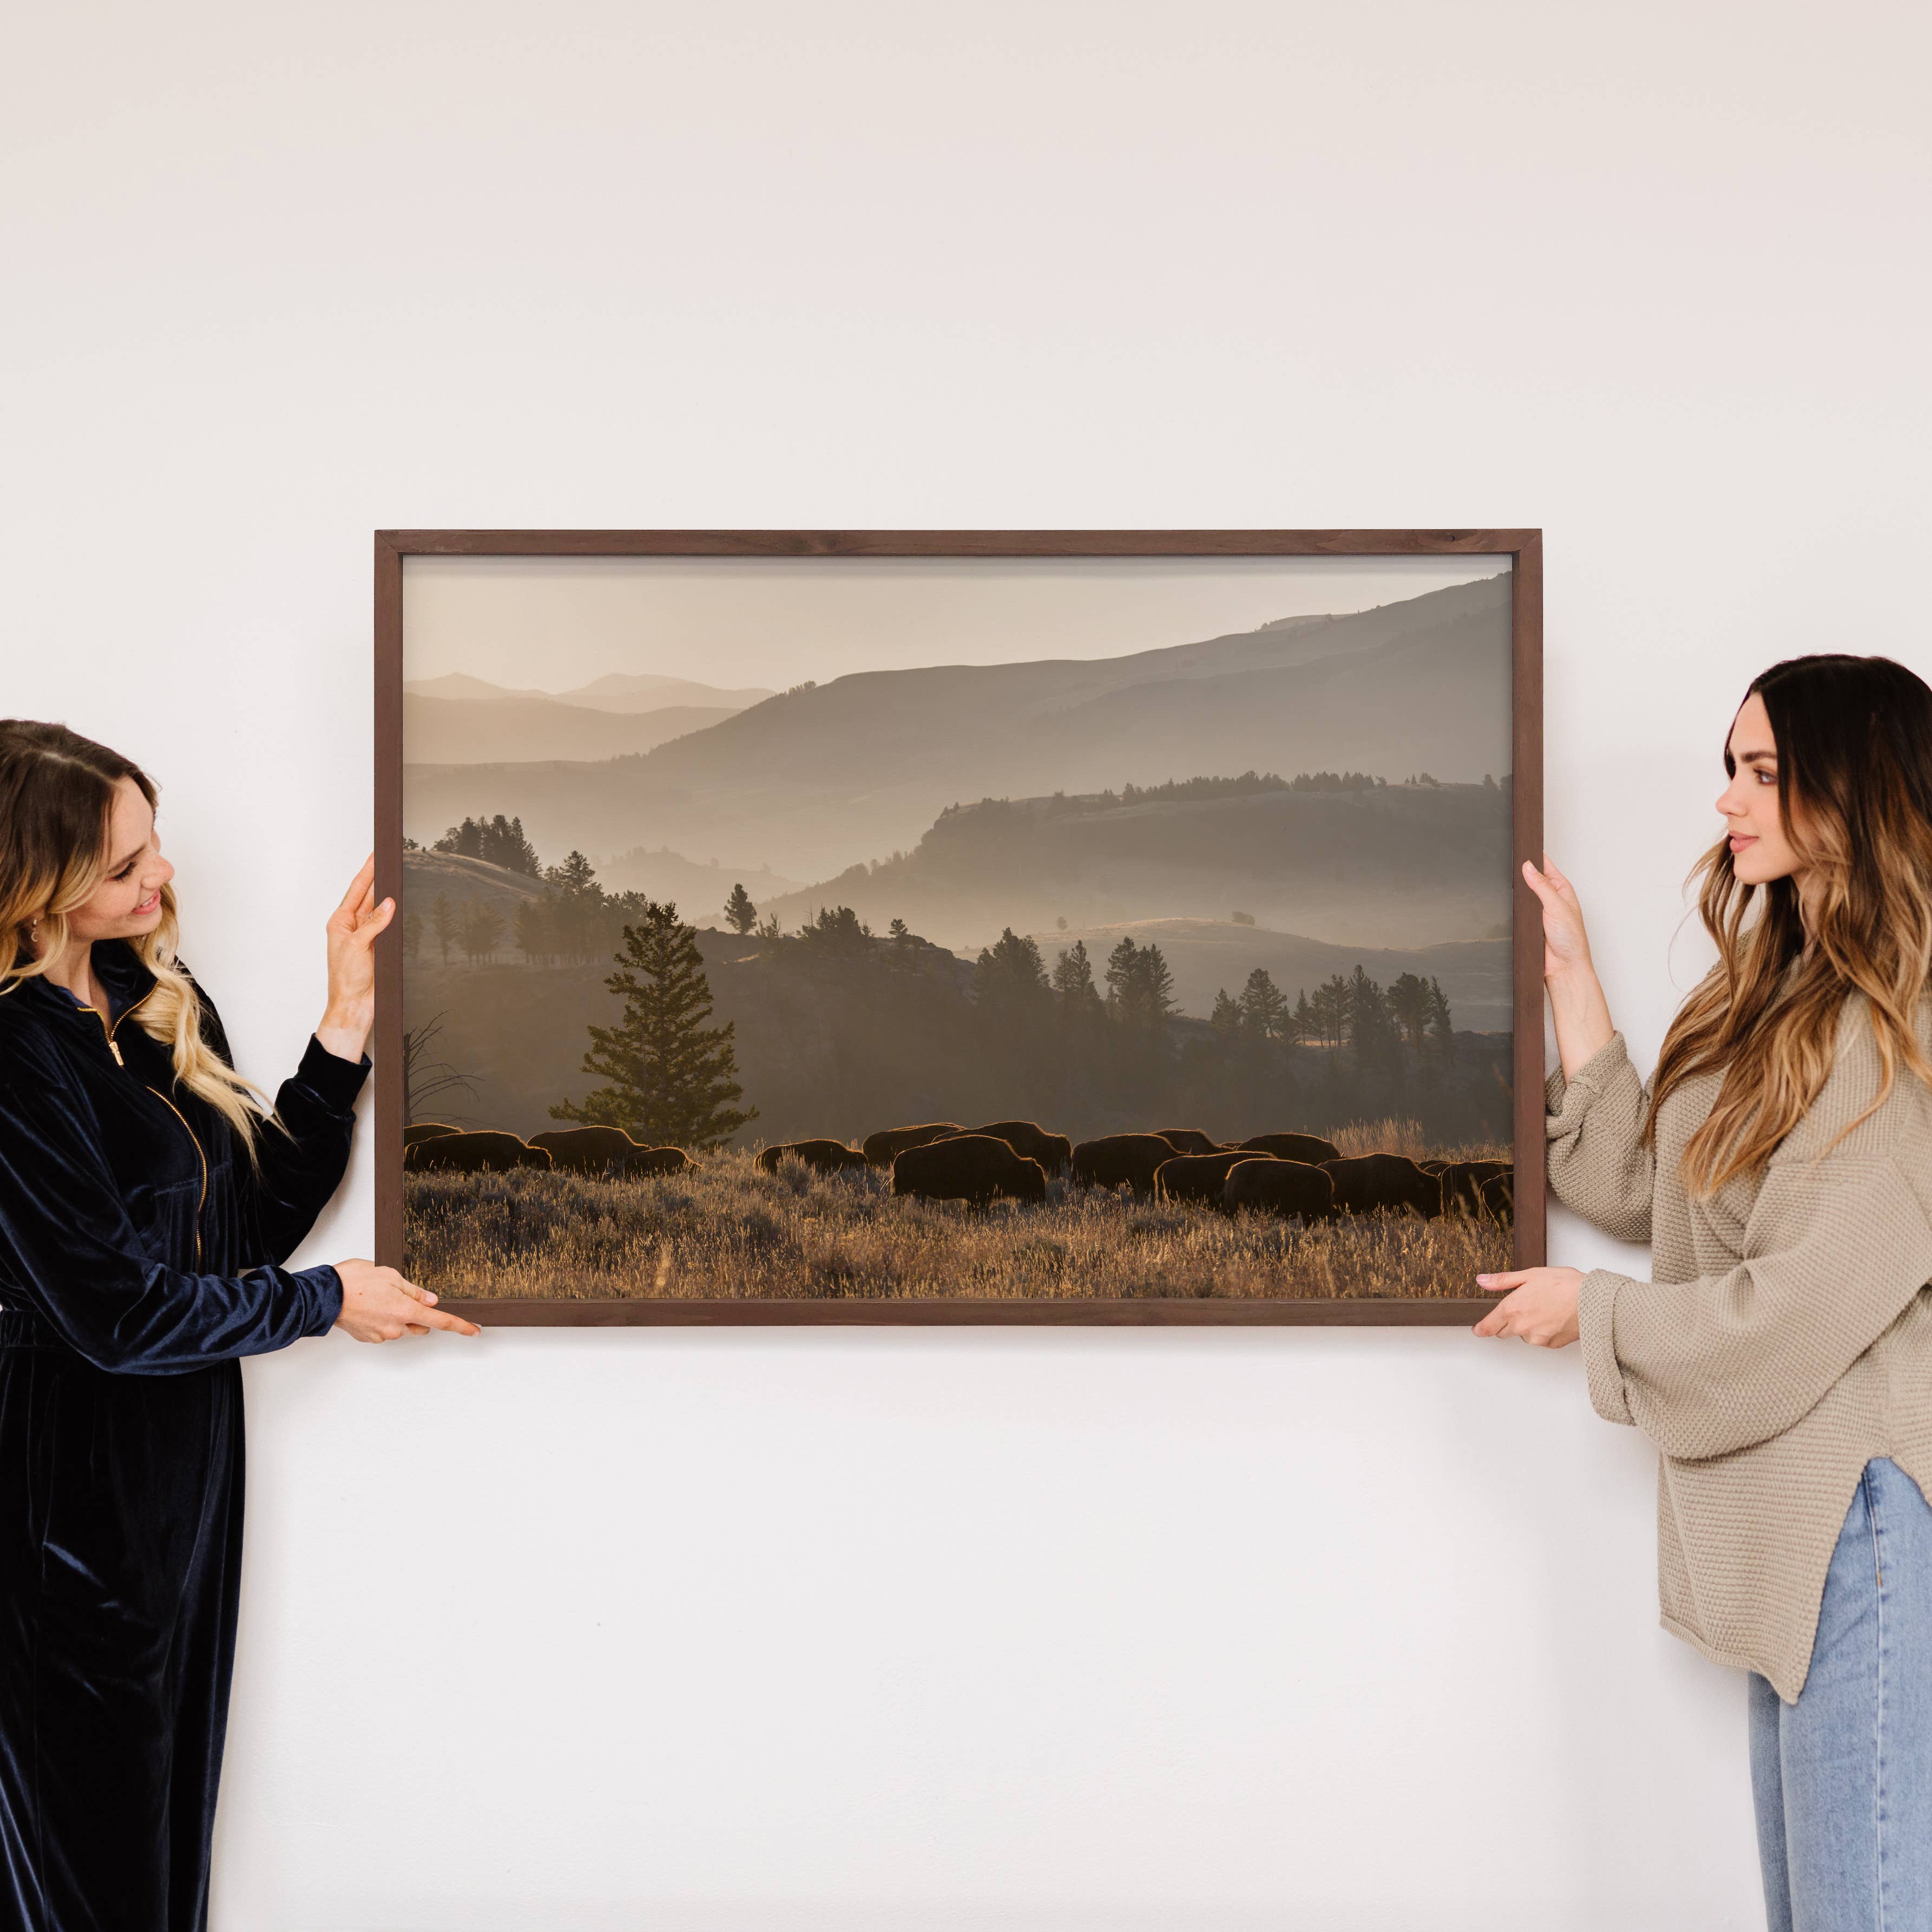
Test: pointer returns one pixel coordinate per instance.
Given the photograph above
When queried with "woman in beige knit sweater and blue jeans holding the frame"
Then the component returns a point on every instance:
(1780, 1164)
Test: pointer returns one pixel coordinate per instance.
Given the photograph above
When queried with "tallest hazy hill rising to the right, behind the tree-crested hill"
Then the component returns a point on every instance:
(824, 778)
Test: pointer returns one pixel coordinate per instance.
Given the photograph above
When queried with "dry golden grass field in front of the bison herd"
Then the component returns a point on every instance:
(733, 1234)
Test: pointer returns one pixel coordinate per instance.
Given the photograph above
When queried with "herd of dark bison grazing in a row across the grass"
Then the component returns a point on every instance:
(1292, 1176)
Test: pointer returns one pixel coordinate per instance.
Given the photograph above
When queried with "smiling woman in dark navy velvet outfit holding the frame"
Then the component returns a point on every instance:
(148, 1205)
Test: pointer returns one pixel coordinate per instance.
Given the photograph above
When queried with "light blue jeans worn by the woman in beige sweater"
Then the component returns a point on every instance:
(1842, 1780)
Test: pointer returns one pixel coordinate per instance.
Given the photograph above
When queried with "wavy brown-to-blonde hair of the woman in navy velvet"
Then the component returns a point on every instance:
(57, 805)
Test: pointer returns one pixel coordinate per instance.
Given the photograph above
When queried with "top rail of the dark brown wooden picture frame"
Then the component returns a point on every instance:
(957, 542)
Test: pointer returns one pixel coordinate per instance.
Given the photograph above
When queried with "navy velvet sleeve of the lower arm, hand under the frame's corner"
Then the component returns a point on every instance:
(76, 1261)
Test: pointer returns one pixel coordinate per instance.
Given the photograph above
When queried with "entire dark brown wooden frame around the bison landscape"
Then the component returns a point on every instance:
(1525, 548)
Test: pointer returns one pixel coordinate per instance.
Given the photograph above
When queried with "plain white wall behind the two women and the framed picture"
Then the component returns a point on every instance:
(793, 1632)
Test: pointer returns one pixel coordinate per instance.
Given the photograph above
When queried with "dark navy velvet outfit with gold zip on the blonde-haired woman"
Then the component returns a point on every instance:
(140, 1259)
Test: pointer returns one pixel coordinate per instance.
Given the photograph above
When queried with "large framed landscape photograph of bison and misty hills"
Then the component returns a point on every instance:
(959, 926)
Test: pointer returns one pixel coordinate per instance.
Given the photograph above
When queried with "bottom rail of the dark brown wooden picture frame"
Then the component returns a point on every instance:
(1152, 1313)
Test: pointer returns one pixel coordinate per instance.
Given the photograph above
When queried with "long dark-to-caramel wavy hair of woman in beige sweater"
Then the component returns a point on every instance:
(1856, 797)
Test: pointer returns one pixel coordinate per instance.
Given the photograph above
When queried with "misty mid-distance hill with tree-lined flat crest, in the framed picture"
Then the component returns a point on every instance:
(1390, 867)
